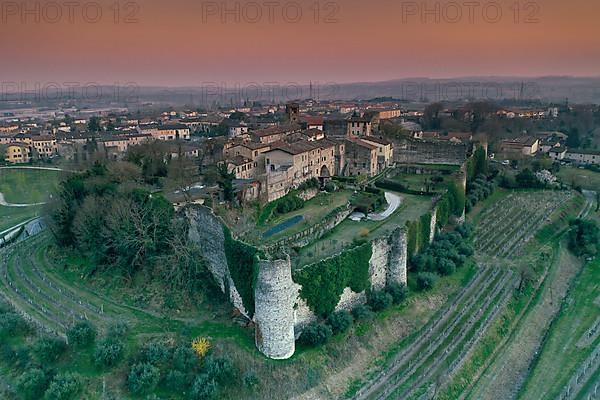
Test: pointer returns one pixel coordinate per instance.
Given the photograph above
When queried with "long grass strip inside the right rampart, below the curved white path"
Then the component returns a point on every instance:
(344, 234)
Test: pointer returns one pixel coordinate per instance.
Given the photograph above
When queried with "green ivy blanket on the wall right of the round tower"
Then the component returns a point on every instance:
(324, 282)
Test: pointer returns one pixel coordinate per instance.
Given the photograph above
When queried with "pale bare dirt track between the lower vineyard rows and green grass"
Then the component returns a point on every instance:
(508, 372)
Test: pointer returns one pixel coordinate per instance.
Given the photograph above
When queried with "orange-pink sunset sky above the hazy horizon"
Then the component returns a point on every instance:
(374, 40)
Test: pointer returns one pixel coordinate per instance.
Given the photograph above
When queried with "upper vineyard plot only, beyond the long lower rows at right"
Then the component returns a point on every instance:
(510, 224)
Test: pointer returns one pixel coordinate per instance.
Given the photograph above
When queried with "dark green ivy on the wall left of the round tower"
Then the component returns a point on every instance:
(242, 261)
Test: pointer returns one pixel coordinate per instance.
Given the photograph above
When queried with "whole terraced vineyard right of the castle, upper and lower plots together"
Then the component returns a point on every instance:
(428, 362)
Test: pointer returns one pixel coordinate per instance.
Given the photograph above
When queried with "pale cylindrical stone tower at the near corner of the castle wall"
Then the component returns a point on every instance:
(274, 309)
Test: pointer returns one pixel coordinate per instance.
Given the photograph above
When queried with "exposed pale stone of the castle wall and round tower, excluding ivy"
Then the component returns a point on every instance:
(280, 313)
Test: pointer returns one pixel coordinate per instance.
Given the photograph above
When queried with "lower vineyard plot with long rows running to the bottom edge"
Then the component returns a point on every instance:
(445, 341)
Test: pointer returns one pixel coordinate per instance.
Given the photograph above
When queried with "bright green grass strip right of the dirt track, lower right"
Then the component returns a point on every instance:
(561, 356)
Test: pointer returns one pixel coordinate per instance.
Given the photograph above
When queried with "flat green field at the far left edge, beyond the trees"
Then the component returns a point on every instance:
(27, 186)
